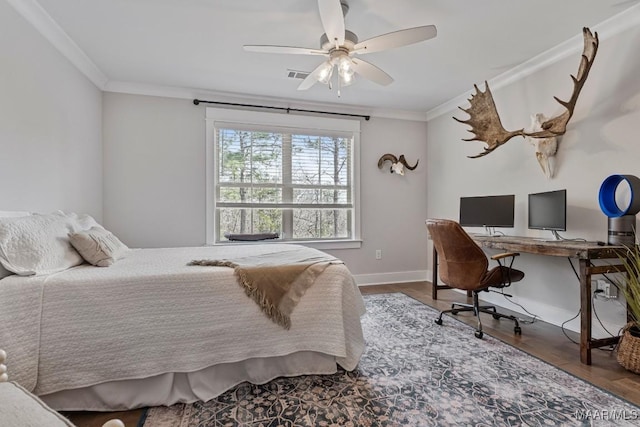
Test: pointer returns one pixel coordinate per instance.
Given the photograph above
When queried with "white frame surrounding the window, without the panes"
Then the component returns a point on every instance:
(245, 117)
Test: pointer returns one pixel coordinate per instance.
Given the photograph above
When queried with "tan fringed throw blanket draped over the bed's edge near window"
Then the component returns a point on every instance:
(276, 281)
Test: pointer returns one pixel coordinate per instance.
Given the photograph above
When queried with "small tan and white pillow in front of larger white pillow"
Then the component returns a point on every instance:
(98, 246)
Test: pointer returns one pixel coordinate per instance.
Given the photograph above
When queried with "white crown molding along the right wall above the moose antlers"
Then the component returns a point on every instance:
(624, 20)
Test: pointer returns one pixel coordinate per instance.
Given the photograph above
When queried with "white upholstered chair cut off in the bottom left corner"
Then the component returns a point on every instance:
(20, 408)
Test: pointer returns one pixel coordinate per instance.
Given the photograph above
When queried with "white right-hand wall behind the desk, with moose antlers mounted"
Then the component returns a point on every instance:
(601, 140)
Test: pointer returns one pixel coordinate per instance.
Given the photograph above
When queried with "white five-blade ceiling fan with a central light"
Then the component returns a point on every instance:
(341, 46)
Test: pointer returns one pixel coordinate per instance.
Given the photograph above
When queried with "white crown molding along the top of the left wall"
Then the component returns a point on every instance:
(33, 12)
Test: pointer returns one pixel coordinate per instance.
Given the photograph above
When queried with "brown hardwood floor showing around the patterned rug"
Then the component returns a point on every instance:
(540, 339)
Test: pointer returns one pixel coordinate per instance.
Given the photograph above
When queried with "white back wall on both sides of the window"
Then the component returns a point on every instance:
(154, 184)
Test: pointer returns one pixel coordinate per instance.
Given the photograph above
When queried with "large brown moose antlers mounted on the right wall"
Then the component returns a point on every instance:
(486, 124)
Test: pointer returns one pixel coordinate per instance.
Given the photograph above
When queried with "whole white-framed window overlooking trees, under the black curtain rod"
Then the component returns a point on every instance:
(274, 173)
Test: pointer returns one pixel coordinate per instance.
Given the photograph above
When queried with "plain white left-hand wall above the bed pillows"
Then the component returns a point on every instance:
(50, 126)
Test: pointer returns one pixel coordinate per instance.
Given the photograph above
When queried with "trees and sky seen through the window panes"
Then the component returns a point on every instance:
(254, 169)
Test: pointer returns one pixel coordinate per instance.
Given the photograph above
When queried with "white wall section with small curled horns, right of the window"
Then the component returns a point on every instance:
(393, 207)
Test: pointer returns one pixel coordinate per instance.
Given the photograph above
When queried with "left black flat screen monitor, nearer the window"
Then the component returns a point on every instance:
(487, 211)
